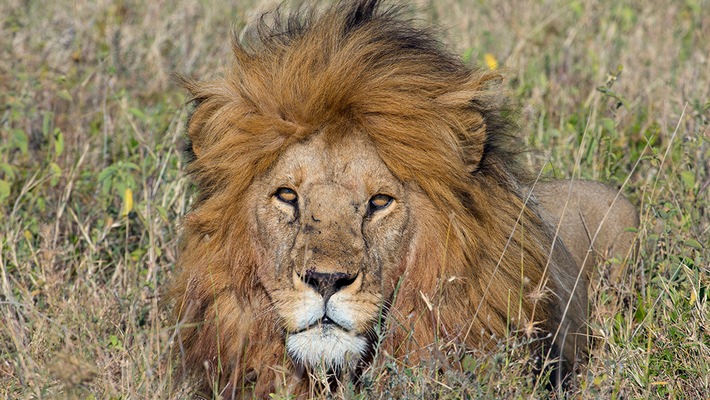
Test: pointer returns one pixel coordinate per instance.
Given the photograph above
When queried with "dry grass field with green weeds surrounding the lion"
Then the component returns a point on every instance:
(92, 185)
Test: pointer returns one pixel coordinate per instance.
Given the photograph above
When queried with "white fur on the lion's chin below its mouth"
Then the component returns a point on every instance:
(325, 347)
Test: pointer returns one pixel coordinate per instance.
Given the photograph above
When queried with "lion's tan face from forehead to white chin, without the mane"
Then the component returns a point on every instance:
(333, 227)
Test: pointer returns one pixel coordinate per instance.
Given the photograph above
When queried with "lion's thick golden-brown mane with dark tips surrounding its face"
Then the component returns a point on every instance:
(434, 121)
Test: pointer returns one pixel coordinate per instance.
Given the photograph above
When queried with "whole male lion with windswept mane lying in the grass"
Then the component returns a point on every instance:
(360, 193)
